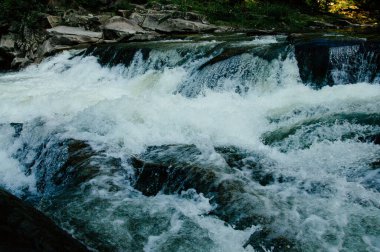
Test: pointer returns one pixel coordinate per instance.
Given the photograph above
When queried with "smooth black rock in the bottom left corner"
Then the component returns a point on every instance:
(23, 228)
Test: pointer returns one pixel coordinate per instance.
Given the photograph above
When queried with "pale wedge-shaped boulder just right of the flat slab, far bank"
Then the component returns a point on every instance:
(119, 28)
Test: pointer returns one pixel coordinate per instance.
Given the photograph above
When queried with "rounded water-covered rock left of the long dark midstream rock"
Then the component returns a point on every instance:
(68, 163)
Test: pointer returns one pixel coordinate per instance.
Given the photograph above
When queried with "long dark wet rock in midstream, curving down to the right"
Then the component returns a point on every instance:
(172, 169)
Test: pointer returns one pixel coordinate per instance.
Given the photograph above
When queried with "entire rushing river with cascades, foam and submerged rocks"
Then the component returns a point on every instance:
(232, 144)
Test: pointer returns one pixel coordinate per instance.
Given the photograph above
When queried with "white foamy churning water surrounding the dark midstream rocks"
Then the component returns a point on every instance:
(325, 201)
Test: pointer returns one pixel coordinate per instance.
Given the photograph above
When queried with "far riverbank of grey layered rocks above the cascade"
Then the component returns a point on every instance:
(62, 29)
